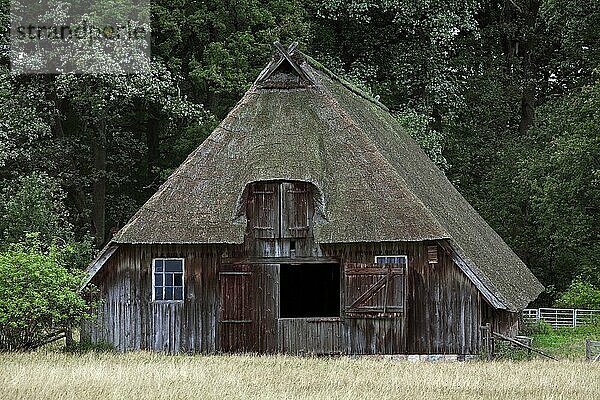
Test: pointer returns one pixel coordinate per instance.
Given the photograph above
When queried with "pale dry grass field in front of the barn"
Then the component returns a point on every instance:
(55, 375)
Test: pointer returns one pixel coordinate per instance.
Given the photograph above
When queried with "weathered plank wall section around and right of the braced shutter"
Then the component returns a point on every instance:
(443, 308)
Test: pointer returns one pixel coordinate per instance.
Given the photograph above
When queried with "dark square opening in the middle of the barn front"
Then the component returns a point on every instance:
(309, 290)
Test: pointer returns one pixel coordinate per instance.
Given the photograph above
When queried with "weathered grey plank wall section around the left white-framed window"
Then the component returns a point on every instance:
(129, 320)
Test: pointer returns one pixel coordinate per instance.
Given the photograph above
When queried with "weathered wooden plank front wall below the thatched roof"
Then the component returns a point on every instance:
(441, 312)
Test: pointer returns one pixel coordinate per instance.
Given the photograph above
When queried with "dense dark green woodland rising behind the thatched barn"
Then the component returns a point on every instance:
(502, 94)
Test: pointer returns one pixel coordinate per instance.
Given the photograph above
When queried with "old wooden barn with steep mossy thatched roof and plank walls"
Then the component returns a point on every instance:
(307, 222)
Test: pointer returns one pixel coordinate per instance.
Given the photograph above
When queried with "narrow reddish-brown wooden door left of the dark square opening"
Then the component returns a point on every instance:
(236, 310)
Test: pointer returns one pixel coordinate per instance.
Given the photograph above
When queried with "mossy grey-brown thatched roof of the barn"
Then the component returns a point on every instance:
(376, 183)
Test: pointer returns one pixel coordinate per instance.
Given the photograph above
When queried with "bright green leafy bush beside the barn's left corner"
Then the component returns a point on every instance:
(39, 297)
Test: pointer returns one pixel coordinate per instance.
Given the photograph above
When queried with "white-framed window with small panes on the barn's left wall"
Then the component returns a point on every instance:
(167, 279)
